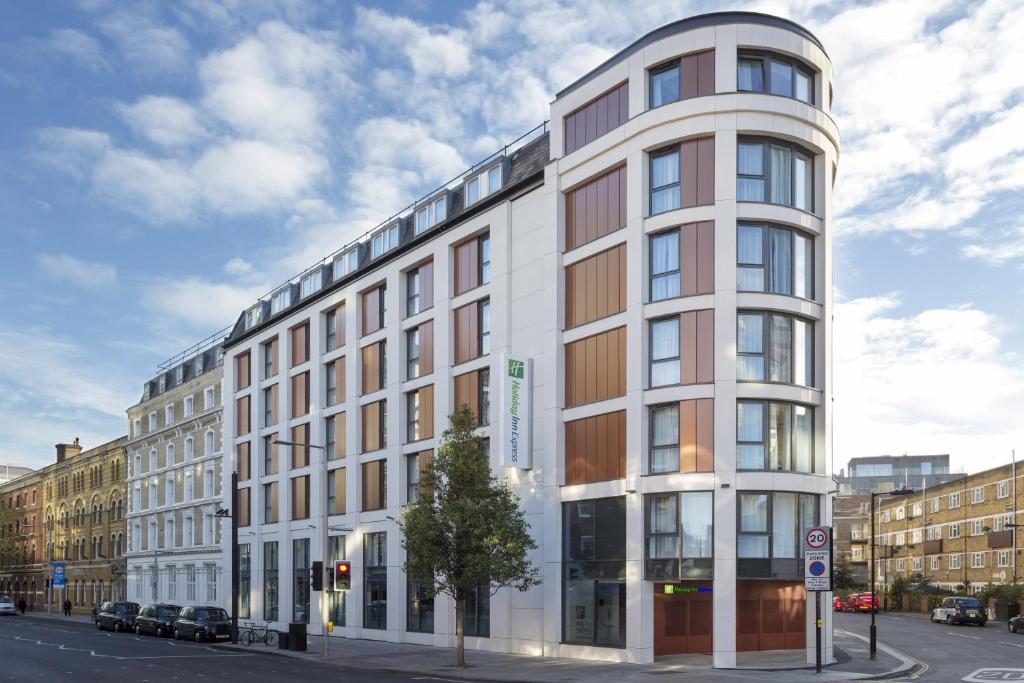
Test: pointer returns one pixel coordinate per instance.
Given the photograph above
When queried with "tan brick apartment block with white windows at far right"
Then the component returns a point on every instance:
(958, 536)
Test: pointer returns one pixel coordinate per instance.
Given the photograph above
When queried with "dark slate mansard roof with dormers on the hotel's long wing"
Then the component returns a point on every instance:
(519, 164)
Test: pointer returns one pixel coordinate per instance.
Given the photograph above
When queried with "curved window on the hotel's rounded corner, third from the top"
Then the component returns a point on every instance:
(775, 260)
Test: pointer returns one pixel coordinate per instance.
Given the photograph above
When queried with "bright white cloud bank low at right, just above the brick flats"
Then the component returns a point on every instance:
(933, 381)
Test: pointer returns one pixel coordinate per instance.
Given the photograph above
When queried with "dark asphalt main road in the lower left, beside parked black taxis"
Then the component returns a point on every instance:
(36, 650)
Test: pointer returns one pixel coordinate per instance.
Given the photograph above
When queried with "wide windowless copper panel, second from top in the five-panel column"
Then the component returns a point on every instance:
(595, 209)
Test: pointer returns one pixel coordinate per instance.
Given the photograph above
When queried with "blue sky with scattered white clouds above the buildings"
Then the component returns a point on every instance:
(164, 164)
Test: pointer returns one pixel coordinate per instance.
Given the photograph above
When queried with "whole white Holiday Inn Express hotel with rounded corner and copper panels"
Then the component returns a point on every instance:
(661, 260)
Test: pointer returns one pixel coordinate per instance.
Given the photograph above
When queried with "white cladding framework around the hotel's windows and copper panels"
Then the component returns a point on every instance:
(527, 291)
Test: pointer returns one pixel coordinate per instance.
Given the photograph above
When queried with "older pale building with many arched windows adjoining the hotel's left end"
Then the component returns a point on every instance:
(174, 485)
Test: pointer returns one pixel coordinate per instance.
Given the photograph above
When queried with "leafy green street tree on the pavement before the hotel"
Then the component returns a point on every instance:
(466, 529)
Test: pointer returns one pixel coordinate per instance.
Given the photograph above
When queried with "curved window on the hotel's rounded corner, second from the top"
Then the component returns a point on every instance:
(776, 173)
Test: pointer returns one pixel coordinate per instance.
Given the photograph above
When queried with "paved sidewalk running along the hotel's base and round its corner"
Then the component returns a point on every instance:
(851, 654)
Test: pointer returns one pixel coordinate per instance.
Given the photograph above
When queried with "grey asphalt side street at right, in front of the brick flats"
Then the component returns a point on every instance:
(952, 653)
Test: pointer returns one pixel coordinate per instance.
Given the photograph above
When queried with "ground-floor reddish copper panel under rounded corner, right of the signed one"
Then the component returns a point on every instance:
(771, 616)
